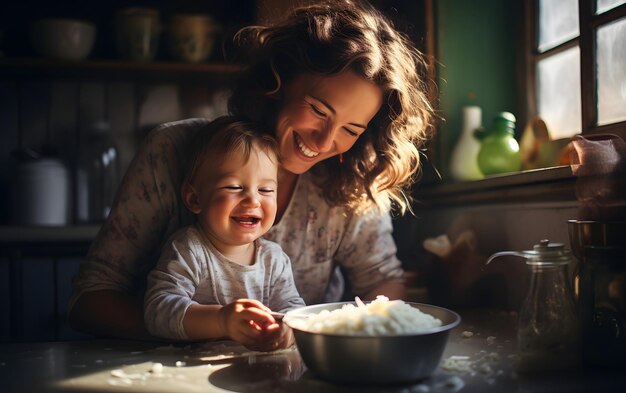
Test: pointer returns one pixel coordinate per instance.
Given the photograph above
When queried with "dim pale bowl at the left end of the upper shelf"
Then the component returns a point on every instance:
(66, 39)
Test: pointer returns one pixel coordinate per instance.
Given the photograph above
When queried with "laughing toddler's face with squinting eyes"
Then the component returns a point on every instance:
(236, 199)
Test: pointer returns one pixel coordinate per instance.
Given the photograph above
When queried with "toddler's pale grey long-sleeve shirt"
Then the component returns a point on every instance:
(191, 271)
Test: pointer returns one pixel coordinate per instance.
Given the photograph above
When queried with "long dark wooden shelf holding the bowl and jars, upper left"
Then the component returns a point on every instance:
(117, 69)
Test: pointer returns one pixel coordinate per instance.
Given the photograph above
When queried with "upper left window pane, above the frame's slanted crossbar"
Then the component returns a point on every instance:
(558, 22)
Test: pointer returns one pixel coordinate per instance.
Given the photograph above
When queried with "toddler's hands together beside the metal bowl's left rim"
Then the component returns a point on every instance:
(250, 323)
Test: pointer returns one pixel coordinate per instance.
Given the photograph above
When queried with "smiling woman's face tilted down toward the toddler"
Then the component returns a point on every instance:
(323, 116)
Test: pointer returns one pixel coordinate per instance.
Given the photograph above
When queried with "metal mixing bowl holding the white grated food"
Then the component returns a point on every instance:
(360, 359)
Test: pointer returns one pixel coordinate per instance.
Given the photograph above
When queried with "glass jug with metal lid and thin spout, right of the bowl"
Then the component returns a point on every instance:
(548, 330)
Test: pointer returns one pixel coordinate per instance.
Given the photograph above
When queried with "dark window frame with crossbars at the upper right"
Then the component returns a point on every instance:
(586, 41)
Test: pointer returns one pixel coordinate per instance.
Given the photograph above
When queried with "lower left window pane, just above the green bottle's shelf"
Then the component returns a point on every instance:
(558, 89)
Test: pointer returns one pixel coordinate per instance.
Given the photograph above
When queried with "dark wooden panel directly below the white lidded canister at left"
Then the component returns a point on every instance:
(37, 292)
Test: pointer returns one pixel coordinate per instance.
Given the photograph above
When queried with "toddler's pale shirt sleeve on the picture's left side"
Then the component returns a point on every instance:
(170, 289)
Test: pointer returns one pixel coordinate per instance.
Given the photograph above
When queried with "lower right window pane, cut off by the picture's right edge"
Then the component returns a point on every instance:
(611, 58)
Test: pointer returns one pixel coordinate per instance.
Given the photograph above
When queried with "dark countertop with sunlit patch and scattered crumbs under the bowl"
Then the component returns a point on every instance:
(480, 356)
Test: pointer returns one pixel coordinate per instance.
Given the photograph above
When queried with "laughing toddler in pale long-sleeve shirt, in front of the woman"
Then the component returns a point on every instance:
(219, 278)
